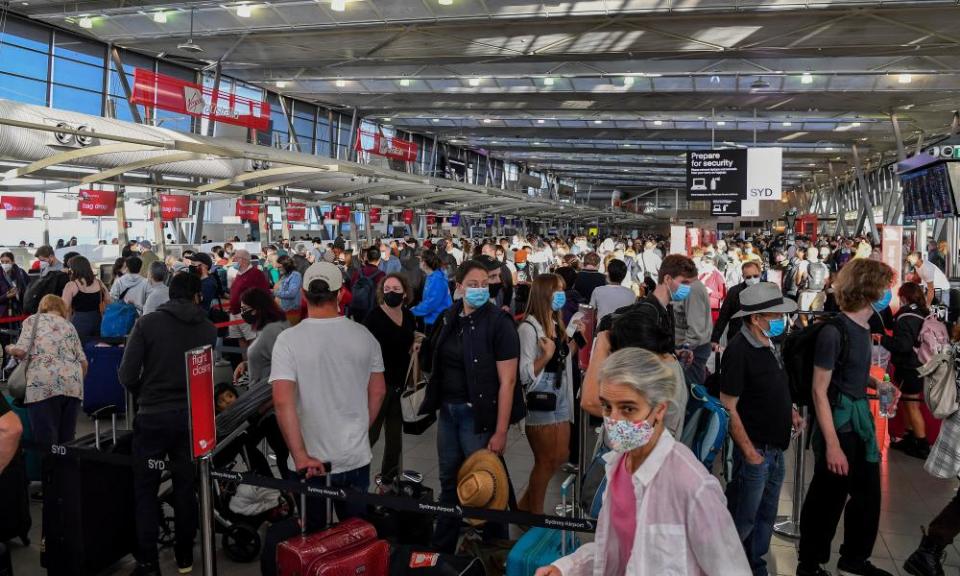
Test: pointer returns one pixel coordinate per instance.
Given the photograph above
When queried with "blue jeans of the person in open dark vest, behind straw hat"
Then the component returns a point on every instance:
(456, 441)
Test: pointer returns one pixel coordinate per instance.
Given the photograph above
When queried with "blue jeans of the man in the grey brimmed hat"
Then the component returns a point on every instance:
(753, 495)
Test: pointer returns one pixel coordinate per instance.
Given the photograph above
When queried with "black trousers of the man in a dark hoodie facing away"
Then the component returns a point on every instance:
(160, 436)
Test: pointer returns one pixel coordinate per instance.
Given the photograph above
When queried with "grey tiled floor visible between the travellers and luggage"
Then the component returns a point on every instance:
(911, 498)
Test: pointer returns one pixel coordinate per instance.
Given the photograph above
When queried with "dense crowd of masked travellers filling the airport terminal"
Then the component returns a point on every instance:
(327, 336)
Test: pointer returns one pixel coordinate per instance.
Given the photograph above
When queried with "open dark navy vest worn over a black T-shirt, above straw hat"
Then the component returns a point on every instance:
(481, 329)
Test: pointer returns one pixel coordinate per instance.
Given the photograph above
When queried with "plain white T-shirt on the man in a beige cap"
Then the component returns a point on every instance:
(331, 361)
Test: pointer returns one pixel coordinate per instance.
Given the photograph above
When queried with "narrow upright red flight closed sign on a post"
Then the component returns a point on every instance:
(203, 428)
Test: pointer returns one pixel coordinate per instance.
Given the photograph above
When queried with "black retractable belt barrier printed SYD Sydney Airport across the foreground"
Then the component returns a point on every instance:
(391, 502)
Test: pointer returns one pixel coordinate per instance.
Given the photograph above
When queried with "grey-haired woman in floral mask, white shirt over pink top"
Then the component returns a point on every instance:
(680, 523)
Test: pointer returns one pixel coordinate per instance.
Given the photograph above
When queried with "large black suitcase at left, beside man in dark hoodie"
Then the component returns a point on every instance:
(88, 512)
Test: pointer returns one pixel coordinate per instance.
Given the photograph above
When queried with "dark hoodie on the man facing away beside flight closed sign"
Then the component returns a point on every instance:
(154, 367)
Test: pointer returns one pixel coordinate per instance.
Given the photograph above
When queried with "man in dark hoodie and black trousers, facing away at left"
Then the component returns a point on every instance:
(154, 371)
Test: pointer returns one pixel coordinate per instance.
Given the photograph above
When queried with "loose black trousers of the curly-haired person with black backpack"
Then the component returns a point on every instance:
(827, 498)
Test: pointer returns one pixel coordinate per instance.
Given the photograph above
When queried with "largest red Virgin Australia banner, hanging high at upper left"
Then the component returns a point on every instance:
(176, 95)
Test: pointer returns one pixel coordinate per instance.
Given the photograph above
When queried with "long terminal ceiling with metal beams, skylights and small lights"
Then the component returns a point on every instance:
(607, 92)
